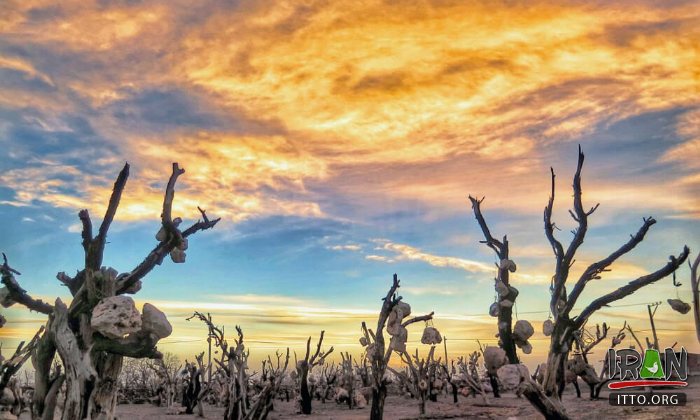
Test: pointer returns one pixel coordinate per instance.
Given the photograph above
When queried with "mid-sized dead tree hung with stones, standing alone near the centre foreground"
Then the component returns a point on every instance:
(392, 312)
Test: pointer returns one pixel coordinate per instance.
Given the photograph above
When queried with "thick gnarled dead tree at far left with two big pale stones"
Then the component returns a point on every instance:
(83, 333)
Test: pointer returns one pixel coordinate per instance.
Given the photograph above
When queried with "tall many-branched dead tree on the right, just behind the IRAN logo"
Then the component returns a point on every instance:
(561, 304)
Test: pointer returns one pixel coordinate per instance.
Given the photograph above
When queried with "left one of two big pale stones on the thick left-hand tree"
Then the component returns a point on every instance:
(115, 317)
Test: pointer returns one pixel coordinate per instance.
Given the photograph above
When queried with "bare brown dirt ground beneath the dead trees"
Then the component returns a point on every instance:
(507, 407)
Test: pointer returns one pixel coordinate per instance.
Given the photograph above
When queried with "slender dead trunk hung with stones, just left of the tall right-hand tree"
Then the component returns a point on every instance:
(503, 308)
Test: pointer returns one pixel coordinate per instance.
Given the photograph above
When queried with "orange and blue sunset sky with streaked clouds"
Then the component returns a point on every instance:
(338, 142)
